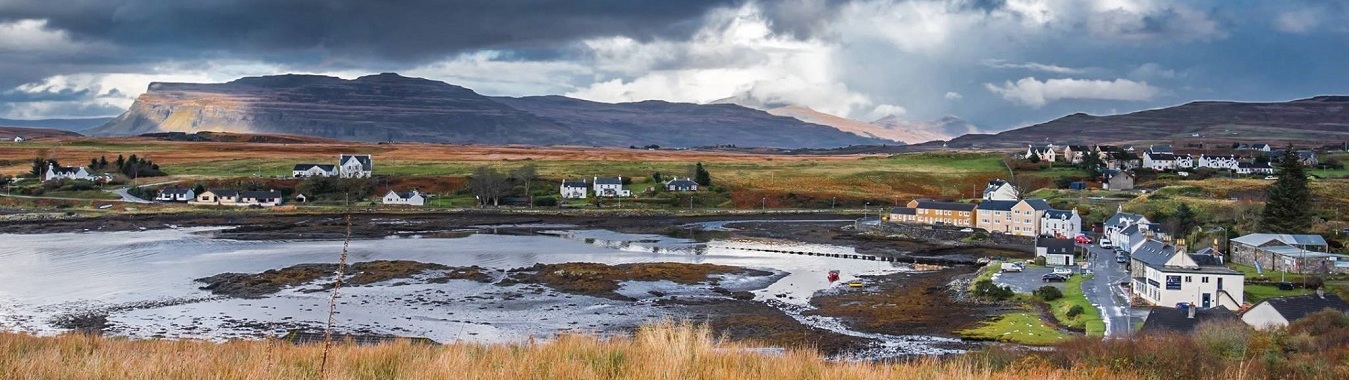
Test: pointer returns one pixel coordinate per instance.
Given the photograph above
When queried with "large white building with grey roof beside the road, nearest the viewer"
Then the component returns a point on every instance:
(1166, 276)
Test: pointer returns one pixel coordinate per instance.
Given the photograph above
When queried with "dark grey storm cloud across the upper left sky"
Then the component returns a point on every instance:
(355, 30)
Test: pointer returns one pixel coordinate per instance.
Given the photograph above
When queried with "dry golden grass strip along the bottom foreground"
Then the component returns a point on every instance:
(664, 351)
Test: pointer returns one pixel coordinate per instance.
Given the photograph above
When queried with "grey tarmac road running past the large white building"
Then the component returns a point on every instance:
(1106, 293)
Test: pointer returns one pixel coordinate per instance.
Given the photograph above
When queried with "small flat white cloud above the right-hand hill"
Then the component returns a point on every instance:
(1038, 94)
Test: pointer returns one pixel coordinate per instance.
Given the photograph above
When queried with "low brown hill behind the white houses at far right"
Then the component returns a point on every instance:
(1319, 119)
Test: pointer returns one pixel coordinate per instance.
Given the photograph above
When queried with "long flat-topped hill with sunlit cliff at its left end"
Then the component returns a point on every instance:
(396, 108)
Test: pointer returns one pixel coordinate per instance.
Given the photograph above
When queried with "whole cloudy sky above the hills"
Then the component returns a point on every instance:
(999, 64)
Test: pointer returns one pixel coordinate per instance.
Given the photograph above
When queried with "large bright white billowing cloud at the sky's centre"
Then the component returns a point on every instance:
(736, 55)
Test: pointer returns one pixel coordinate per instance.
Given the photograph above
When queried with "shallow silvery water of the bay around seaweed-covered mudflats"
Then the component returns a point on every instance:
(125, 273)
